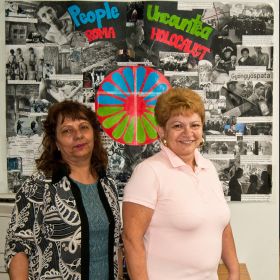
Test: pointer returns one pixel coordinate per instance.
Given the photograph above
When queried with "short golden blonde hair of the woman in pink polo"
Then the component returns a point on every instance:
(176, 101)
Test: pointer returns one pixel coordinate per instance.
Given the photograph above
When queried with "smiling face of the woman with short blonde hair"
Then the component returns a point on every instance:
(183, 134)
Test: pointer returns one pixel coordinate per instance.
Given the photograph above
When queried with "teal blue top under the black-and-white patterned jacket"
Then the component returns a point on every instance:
(98, 232)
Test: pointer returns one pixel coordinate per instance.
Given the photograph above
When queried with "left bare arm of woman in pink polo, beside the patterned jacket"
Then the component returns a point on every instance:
(136, 219)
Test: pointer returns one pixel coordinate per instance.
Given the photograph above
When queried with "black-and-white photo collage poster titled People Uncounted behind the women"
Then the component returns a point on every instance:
(106, 55)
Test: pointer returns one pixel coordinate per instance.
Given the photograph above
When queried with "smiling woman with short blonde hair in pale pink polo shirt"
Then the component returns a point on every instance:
(176, 220)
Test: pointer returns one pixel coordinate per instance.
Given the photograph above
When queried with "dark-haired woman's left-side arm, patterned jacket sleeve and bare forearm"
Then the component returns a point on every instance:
(20, 243)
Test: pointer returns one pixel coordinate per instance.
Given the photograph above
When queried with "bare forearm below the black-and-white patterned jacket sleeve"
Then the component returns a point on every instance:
(18, 269)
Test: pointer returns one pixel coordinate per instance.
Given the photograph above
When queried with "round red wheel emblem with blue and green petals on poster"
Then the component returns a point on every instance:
(125, 104)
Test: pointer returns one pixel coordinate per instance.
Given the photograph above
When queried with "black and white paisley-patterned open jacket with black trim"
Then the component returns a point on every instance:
(50, 225)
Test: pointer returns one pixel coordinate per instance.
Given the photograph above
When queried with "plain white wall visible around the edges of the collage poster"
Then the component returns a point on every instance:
(255, 225)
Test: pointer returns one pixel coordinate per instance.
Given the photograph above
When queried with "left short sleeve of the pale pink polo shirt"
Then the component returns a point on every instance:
(143, 186)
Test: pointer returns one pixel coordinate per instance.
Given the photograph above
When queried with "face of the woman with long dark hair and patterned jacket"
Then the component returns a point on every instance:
(75, 140)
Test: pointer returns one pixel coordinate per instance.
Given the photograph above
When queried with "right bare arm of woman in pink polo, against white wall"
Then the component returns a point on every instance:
(229, 255)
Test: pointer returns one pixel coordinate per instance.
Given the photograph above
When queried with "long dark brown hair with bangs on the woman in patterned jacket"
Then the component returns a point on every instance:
(51, 158)
